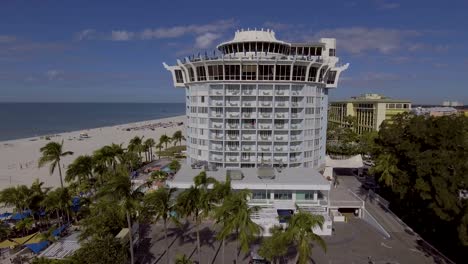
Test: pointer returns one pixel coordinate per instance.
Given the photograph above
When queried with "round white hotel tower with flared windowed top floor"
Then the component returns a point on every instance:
(261, 103)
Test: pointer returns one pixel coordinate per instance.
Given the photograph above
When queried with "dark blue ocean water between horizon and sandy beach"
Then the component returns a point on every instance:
(21, 120)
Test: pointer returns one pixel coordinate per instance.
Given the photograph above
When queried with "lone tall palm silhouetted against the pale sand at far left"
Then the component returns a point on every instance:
(51, 153)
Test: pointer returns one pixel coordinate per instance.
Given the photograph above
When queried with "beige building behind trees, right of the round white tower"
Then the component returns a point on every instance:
(369, 111)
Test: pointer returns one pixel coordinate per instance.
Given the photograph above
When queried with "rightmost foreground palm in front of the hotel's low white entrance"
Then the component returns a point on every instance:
(300, 233)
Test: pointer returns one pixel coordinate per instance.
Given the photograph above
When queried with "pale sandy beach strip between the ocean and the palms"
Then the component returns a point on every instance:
(19, 158)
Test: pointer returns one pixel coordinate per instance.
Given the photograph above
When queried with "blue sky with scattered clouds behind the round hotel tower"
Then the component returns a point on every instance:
(112, 51)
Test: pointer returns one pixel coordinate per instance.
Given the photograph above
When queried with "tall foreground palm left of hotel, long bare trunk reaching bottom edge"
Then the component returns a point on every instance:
(121, 190)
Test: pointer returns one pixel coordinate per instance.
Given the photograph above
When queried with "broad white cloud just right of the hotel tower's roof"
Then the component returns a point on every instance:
(357, 40)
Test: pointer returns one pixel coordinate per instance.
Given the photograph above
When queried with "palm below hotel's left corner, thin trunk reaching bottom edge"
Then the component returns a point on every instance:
(160, 205)
